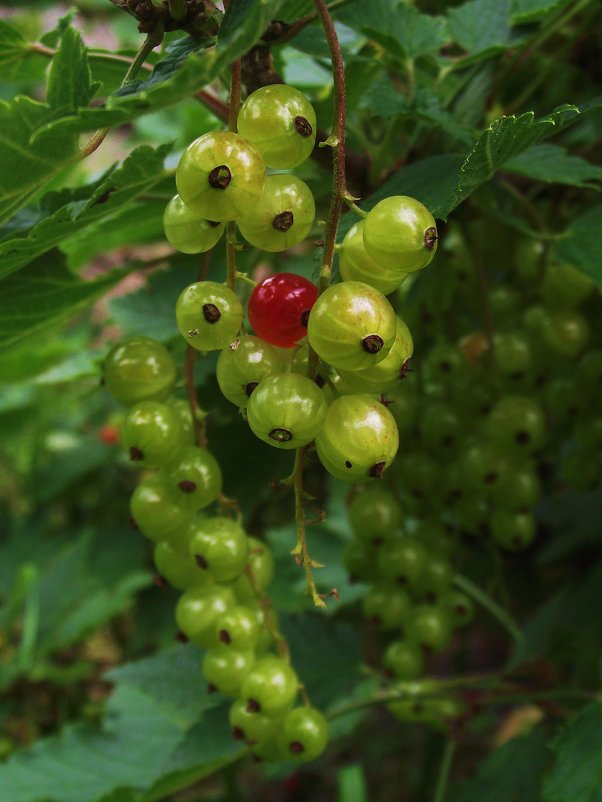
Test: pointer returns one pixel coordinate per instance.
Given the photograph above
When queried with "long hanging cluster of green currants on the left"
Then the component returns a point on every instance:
(223, 572)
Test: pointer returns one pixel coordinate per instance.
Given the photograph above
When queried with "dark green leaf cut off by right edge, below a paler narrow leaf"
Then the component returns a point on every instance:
(581, 244)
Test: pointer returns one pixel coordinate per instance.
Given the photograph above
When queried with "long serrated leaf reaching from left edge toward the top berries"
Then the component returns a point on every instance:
(142, 169)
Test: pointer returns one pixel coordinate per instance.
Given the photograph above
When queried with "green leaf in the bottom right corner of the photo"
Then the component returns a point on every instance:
(577, 773)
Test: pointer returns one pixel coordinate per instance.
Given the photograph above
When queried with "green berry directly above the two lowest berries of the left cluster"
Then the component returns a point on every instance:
(270, 686)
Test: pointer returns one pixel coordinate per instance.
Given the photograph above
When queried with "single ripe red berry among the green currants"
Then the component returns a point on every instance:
(279, 308)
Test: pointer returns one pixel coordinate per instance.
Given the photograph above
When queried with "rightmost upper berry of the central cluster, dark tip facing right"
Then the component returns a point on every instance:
(400, 234)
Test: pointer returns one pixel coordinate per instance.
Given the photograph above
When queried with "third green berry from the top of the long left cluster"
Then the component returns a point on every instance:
(196, 475)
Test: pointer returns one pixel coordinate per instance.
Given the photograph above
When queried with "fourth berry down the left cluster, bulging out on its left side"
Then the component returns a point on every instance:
(157, 510)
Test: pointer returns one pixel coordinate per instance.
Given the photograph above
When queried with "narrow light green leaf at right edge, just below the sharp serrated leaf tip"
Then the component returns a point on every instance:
(553, 165)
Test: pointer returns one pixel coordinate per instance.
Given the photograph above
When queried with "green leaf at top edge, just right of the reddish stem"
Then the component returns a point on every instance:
(397, 26)
